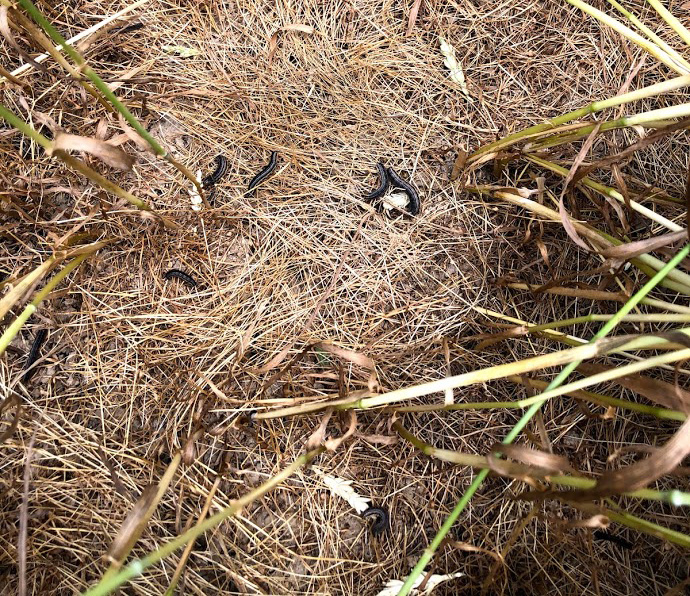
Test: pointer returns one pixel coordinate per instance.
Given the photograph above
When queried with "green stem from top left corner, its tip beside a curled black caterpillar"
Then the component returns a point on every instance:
(76, 57)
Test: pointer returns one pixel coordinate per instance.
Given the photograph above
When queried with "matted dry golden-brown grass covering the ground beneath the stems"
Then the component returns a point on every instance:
(137, 365)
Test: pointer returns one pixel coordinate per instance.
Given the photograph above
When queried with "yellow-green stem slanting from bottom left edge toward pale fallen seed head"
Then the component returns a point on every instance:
(137, 567)
